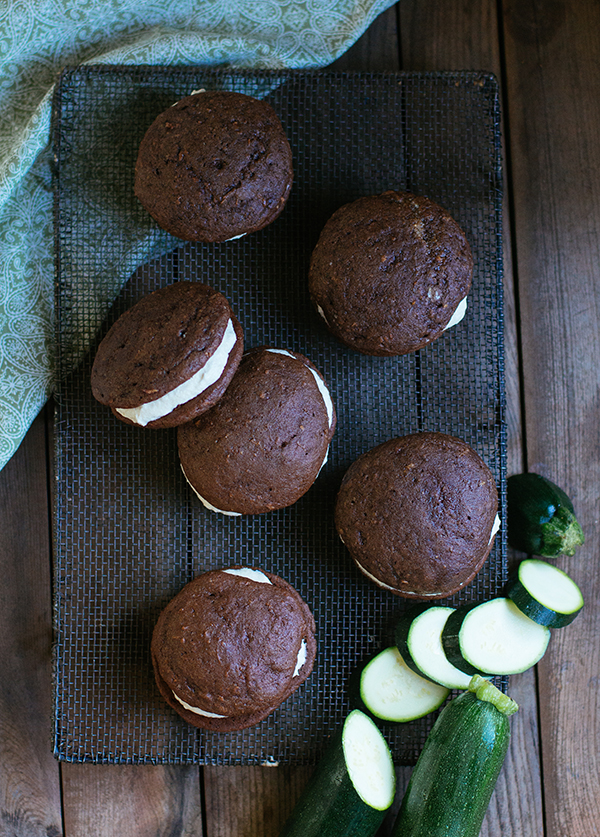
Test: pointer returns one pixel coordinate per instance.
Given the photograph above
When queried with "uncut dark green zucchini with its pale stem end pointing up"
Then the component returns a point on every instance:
(454, 777)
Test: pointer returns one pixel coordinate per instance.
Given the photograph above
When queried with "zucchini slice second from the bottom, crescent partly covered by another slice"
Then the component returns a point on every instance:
(419, 640)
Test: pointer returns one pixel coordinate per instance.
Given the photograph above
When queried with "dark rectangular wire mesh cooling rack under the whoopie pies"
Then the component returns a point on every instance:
(128, 532)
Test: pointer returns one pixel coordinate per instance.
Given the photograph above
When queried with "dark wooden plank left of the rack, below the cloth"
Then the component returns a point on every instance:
(29, 776)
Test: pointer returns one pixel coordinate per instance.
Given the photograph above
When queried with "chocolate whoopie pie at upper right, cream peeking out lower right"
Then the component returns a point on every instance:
(390, 273)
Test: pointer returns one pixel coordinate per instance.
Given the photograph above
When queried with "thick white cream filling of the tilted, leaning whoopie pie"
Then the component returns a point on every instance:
(200, 381)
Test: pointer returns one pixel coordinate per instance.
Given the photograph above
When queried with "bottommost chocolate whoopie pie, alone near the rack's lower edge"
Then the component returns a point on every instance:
(231, 647)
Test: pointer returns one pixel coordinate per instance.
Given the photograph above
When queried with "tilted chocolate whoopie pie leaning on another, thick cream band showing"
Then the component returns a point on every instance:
(168, 358)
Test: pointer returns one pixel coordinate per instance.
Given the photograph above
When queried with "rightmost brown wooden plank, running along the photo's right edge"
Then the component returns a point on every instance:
(552, 53)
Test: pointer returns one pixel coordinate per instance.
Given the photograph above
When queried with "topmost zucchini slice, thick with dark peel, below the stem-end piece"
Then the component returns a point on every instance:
(544, 593)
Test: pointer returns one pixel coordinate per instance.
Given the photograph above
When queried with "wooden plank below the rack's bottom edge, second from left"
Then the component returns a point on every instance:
(136, 801)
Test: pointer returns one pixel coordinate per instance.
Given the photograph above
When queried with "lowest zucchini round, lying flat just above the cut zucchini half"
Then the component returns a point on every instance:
(390, 690)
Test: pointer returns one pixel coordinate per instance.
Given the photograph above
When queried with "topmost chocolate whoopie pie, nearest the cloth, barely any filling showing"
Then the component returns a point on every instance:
(214, 166)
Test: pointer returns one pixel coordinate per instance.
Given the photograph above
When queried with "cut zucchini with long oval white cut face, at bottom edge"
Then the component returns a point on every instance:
(352, 786)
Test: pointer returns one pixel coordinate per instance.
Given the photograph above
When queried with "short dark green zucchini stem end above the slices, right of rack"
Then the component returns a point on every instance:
(541, 519)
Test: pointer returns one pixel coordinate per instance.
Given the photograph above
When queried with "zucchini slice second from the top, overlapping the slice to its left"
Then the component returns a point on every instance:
(493, 638)
